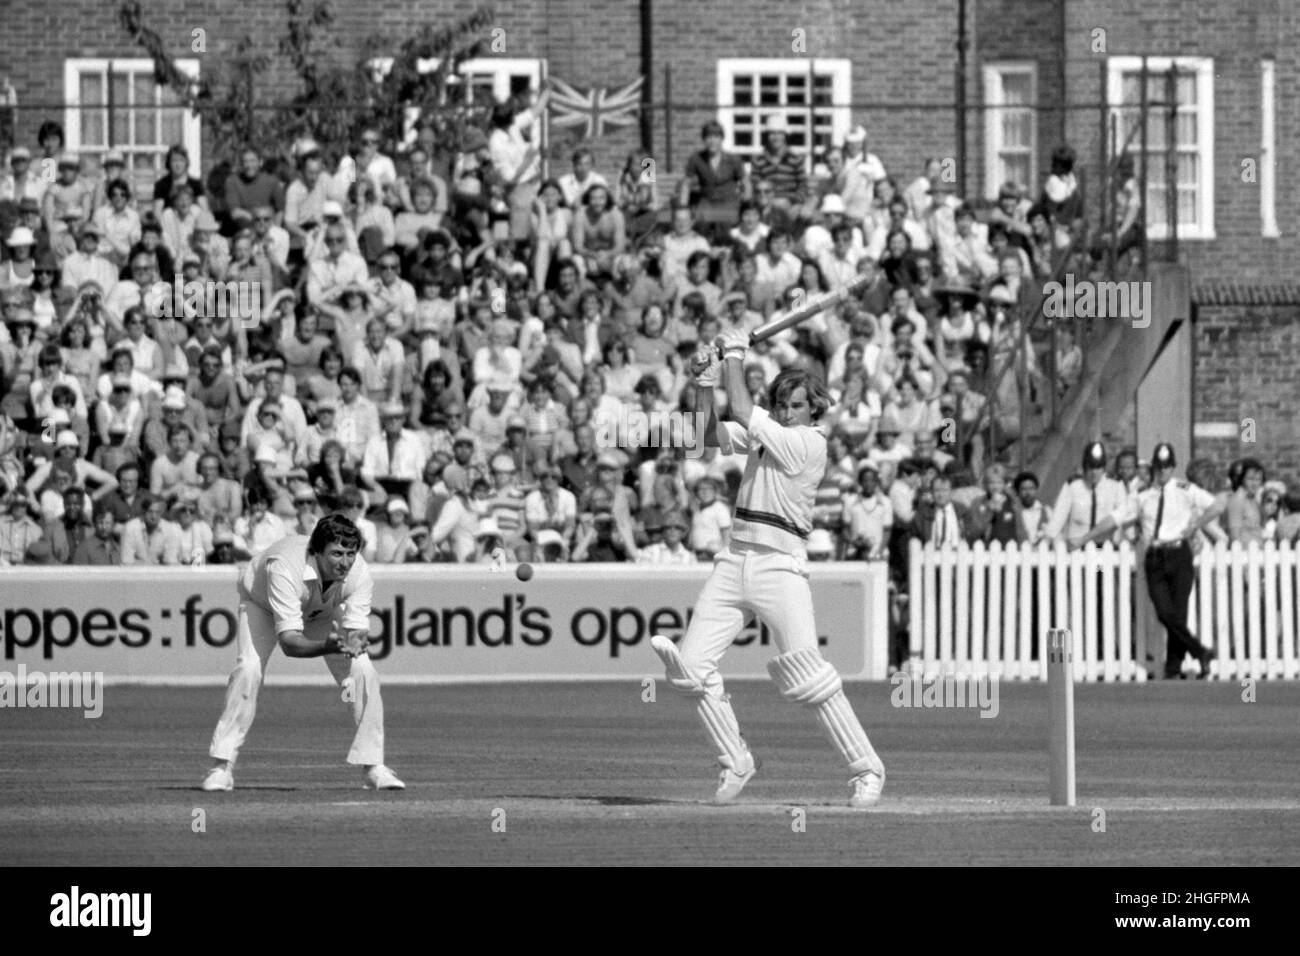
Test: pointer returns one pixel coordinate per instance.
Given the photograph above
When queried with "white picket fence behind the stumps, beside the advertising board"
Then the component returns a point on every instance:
(987, 611)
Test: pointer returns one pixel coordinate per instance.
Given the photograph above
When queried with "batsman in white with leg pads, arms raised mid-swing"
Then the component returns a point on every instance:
(764, 570)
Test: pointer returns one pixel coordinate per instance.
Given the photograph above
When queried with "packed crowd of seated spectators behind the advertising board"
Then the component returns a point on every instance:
(444, 348)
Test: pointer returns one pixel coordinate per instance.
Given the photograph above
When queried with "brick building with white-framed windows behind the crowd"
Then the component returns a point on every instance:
(895, 64)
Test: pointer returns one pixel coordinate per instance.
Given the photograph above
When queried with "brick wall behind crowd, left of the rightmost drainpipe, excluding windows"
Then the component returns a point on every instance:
(902, 55)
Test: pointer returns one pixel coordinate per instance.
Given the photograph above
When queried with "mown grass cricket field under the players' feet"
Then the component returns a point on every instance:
(1186, 773)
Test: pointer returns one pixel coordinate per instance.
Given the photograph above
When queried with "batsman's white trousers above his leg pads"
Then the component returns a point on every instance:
(748, 578)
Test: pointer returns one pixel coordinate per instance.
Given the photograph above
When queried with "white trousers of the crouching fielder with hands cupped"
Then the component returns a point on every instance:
(258, 641)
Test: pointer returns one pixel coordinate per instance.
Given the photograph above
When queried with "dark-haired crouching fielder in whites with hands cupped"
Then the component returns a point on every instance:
(313, 598)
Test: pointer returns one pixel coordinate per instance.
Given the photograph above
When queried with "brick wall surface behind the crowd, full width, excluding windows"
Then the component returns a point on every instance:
(900, 55)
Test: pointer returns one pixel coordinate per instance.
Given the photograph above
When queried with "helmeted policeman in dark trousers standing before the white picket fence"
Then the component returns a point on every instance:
(1169, 514)
